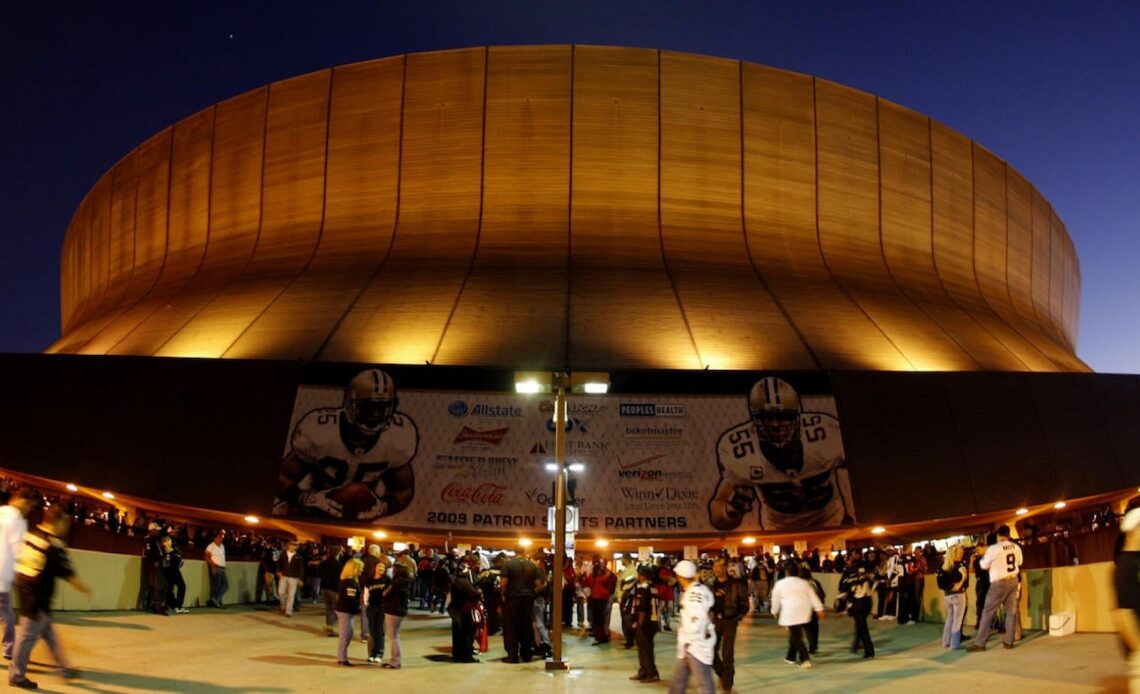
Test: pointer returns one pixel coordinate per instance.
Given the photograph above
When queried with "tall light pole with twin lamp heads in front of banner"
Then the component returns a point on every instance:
(559, 383)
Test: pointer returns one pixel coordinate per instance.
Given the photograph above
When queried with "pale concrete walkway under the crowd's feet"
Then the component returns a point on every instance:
(242, 650)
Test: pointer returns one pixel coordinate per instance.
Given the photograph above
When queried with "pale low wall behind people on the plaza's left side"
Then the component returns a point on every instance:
(117, 578)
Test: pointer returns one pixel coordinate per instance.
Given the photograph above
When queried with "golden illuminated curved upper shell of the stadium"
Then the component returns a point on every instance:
(571, 207)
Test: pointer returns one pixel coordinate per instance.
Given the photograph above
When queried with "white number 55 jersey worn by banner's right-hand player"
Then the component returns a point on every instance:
(809, 489)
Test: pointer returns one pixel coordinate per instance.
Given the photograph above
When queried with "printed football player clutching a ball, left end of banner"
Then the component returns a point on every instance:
(365, 447)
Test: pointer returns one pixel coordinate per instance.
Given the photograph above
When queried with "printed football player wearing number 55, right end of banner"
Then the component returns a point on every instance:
(793, 462)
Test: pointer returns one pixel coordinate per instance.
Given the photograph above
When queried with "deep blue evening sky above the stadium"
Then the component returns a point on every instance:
(1054, 88)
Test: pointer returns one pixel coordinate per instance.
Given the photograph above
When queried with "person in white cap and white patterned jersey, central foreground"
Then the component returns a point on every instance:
(696, 633)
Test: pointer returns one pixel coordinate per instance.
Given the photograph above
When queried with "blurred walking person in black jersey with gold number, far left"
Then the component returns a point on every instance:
(43, 560)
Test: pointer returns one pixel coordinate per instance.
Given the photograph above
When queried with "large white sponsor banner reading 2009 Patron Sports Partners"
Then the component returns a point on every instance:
(770, 460)
